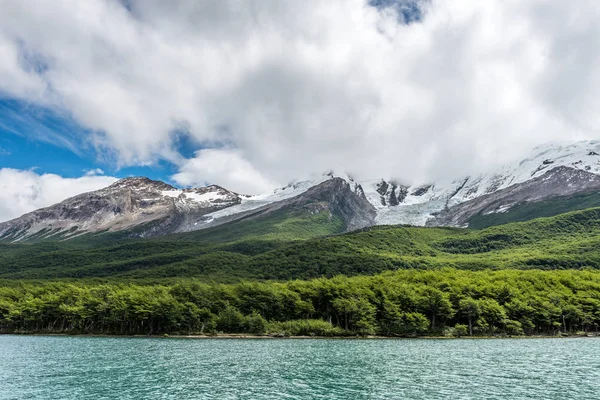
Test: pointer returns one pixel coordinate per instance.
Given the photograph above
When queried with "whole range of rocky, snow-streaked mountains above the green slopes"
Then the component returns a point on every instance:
(149, 208)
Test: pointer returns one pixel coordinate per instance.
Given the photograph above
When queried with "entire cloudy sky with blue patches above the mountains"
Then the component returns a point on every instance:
(253, 94)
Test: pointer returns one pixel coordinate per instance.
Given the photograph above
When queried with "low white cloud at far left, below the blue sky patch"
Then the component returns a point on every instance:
(24, 191)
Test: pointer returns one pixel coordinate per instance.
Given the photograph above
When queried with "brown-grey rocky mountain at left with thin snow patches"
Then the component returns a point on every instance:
(154, 207)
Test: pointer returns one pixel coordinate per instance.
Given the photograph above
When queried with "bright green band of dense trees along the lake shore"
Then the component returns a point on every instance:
(402, 303)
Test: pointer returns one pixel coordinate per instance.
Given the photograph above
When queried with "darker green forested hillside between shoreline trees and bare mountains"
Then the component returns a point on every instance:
(293, 246)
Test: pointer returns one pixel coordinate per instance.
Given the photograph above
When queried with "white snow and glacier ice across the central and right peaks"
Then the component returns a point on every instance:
(415, 205)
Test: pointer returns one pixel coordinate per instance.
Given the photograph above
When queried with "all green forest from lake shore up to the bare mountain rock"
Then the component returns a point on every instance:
(290, 277)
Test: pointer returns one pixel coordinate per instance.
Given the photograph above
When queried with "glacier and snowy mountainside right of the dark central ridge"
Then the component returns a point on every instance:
(428, 203)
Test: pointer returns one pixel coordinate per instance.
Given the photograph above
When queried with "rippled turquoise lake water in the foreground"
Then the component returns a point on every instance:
(37, 367)
